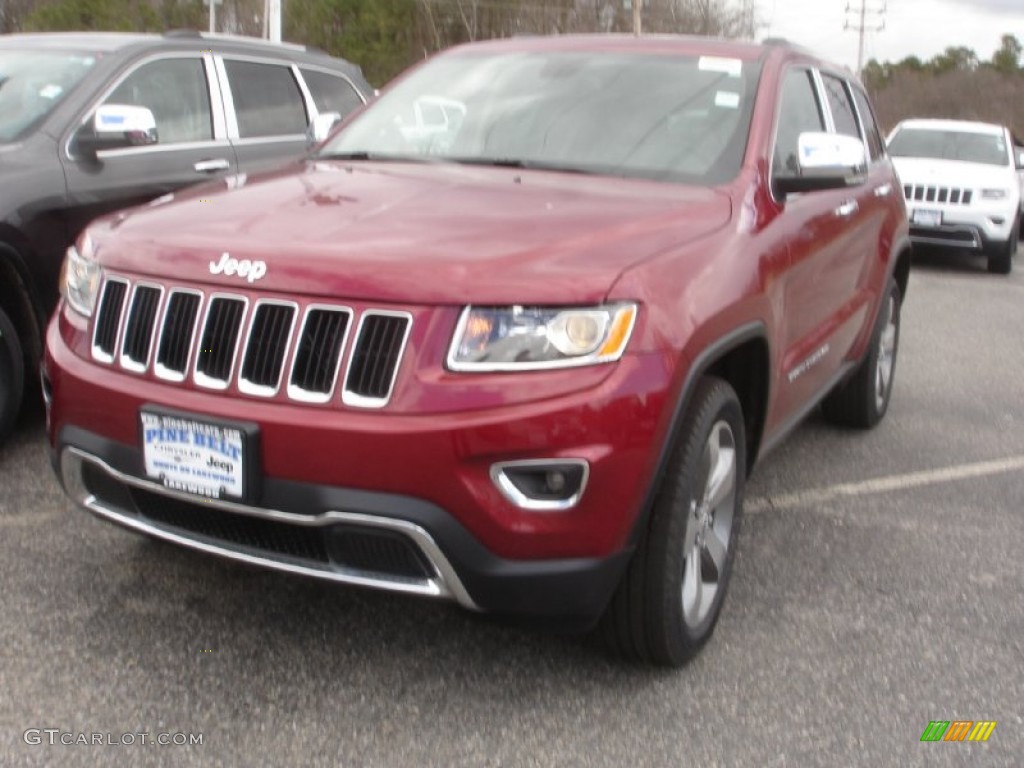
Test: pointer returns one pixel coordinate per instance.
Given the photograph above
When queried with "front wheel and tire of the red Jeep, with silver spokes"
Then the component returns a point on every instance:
(671, 596)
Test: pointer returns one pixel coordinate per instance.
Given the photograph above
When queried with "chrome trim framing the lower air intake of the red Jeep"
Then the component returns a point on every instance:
(445, 585)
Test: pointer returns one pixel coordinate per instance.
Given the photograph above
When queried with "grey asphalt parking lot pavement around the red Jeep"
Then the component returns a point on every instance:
(878, 588)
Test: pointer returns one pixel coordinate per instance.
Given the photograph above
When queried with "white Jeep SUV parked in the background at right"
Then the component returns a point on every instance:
(961, 185)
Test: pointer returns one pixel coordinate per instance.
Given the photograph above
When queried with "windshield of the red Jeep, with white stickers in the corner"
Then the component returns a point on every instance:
(669, 118)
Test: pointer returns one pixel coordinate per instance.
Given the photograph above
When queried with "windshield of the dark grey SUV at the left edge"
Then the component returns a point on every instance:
(32, 84)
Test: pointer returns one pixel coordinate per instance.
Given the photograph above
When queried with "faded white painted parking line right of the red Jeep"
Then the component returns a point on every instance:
(886, 485)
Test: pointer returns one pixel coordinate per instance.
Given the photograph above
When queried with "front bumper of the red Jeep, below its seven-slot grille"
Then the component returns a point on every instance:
(403, 503)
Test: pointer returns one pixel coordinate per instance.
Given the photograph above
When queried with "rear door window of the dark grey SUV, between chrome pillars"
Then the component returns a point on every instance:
(268, 101)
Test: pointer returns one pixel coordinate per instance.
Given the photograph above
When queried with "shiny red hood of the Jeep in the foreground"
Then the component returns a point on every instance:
(425, 234)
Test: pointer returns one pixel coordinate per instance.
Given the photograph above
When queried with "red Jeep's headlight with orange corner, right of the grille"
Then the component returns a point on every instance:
(522, 338)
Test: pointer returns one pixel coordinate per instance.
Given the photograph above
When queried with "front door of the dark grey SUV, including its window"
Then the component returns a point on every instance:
(182, 92)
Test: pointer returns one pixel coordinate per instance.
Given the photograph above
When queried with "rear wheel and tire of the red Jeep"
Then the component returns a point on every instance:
(863, 400)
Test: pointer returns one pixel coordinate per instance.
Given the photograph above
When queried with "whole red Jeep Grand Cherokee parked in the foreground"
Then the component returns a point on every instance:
(515, 336)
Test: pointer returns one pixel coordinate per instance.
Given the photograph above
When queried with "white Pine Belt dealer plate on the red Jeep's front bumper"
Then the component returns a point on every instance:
(194, 456)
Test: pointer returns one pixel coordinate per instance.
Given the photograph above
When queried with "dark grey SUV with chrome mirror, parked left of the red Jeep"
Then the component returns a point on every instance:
(91, 123)
